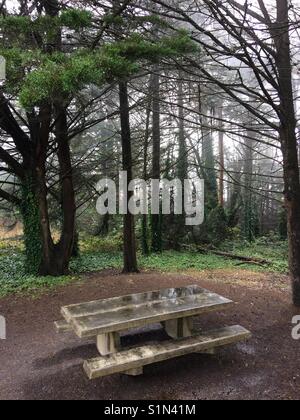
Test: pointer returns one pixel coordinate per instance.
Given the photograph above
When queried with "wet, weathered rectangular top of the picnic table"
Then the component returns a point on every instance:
(122, 313)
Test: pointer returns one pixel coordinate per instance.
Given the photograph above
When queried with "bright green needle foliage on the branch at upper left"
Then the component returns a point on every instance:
(38, 77)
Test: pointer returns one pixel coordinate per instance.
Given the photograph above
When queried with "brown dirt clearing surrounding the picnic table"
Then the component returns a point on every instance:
(36, 363)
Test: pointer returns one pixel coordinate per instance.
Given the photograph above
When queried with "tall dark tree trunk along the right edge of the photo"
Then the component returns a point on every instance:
(289, 143)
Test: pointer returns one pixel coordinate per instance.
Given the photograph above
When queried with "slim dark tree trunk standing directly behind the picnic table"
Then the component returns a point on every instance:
(130, 258)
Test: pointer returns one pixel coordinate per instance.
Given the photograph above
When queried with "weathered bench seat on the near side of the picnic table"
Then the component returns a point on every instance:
(139, 357)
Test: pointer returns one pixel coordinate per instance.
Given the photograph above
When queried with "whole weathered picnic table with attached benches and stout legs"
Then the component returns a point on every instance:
(174, 308)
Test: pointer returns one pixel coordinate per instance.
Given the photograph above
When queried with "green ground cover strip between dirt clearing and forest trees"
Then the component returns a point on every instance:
(98, 254)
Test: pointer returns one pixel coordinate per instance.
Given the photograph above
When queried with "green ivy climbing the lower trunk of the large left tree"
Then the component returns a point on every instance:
(32, 229)
